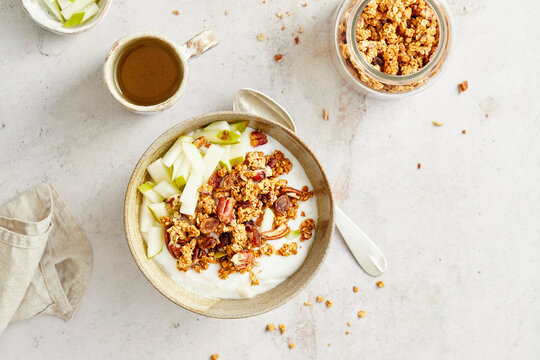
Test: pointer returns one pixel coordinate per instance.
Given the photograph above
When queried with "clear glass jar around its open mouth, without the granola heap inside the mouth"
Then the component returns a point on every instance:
(364, 77)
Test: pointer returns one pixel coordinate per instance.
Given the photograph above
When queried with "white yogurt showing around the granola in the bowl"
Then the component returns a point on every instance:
(272, 270)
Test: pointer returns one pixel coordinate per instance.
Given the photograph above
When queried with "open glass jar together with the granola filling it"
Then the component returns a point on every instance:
(392, 48)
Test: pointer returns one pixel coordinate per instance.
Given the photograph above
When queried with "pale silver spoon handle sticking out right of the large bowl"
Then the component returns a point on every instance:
(368, 255)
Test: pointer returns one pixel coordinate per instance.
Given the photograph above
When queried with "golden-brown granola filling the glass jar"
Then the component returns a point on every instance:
(396, 37)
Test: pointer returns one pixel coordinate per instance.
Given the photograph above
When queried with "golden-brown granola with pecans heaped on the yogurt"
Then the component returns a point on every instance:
(224, 228)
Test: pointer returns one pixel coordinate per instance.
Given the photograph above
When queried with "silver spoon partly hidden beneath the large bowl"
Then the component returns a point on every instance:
(366, 253)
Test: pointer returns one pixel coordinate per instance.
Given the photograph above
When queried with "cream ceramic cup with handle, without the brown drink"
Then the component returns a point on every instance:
(195, 46)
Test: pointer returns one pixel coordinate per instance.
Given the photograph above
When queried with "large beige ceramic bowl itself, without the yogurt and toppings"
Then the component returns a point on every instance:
(224, 308)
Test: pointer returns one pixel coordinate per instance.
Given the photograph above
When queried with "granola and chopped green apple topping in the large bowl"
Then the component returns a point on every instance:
(229, 208)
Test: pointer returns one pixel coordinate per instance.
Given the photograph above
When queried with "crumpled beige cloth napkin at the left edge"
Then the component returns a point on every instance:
(45, 257)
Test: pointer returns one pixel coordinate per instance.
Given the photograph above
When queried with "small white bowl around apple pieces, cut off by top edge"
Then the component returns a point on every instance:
(41, 16)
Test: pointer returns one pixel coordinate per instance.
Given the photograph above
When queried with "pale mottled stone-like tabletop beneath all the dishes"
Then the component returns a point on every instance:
(462, 235)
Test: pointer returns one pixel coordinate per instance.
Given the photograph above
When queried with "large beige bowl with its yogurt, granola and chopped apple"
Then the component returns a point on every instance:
(228, 215)
